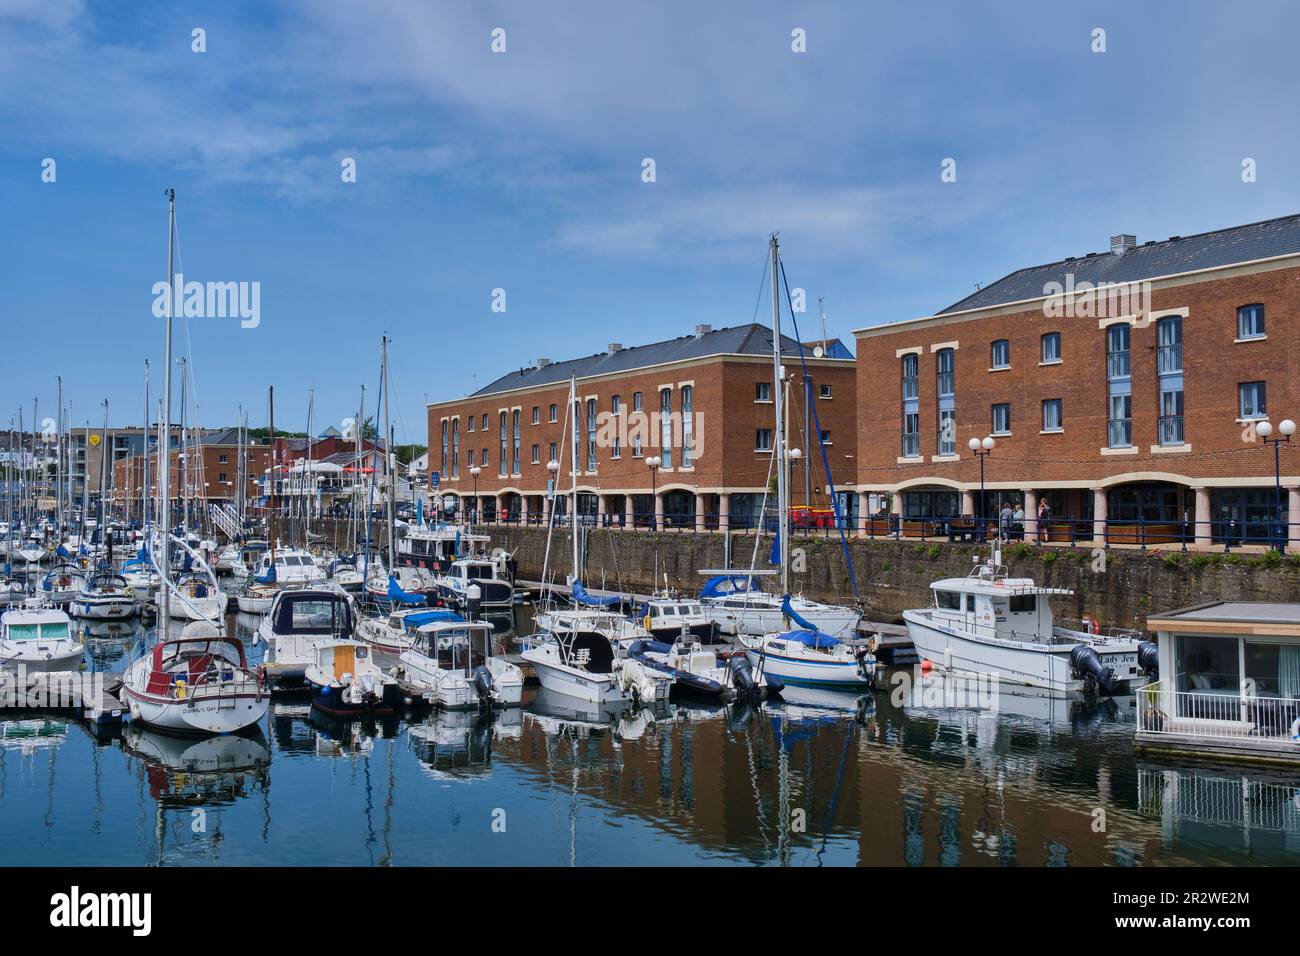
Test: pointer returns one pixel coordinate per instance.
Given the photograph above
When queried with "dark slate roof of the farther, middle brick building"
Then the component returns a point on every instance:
(739, 340)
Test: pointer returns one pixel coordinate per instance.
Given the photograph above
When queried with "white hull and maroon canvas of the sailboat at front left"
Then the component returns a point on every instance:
(197, 684)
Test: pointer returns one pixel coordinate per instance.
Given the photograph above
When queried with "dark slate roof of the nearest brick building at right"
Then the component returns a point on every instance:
(1245, 244)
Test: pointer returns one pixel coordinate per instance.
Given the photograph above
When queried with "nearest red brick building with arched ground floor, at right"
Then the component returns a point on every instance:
(1121, 387)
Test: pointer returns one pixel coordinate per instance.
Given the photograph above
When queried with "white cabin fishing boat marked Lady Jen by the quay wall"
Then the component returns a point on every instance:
(993, 624)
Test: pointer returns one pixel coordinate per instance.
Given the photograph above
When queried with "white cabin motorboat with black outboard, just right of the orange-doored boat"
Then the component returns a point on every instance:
(454, 661)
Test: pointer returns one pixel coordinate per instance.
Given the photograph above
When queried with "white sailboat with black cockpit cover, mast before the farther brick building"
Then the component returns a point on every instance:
(579, 652)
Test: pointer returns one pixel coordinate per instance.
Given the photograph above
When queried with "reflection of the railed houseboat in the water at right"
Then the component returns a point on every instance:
(1253, 815)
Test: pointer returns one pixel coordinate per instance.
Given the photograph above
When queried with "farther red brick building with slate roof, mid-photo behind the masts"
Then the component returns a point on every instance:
(700, 405)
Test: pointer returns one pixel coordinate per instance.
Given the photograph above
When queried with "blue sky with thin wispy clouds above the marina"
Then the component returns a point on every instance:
(523, 171)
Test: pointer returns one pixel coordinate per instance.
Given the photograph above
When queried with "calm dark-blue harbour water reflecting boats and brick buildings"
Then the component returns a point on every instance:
(814, 781)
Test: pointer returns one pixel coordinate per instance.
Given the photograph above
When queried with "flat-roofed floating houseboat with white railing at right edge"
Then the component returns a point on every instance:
(1229, 682)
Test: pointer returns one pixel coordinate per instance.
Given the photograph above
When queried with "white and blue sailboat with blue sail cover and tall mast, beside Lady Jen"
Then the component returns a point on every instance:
(804, 655)
